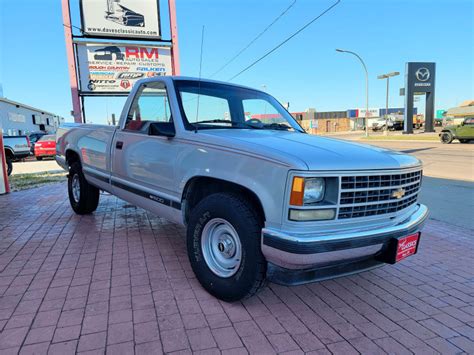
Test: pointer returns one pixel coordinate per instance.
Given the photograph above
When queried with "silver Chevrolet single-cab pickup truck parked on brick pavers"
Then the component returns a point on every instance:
(259, 197)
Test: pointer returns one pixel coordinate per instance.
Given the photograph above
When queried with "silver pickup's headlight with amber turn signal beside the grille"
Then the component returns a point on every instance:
(307, 191)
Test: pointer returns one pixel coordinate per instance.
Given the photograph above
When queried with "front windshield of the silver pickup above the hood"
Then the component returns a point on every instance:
(207, 105)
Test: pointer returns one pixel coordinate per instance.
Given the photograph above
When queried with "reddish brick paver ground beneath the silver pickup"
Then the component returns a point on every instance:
(119, 281)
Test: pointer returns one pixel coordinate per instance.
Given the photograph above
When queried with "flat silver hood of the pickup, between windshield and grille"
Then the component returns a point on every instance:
(316, 152)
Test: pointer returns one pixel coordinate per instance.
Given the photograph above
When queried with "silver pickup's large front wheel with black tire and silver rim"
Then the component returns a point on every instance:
(223, 242)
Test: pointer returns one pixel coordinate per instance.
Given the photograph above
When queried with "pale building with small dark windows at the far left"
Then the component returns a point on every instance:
(20, 119)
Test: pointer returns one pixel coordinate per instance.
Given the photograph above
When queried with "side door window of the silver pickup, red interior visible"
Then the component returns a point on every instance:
(150, 105)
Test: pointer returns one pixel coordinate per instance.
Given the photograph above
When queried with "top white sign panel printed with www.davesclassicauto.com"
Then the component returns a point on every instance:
(121, 18)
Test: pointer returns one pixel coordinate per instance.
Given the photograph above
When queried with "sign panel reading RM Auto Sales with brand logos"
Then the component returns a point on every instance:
(110, 68)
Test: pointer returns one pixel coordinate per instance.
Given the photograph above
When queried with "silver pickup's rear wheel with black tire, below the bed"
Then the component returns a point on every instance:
(83, 197)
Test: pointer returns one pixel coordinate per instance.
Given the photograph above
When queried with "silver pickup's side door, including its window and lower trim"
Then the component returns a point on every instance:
(142, 164)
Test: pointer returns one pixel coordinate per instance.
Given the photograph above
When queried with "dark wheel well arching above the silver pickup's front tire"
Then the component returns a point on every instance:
(199, 187)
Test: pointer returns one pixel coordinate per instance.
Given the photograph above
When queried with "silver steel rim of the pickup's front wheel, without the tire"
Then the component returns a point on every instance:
(221, 247)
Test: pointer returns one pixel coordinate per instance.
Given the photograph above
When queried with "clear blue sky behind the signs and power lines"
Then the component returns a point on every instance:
(307, 72)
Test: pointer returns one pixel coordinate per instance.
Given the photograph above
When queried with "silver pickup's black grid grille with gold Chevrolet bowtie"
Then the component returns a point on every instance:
(363, 196)
